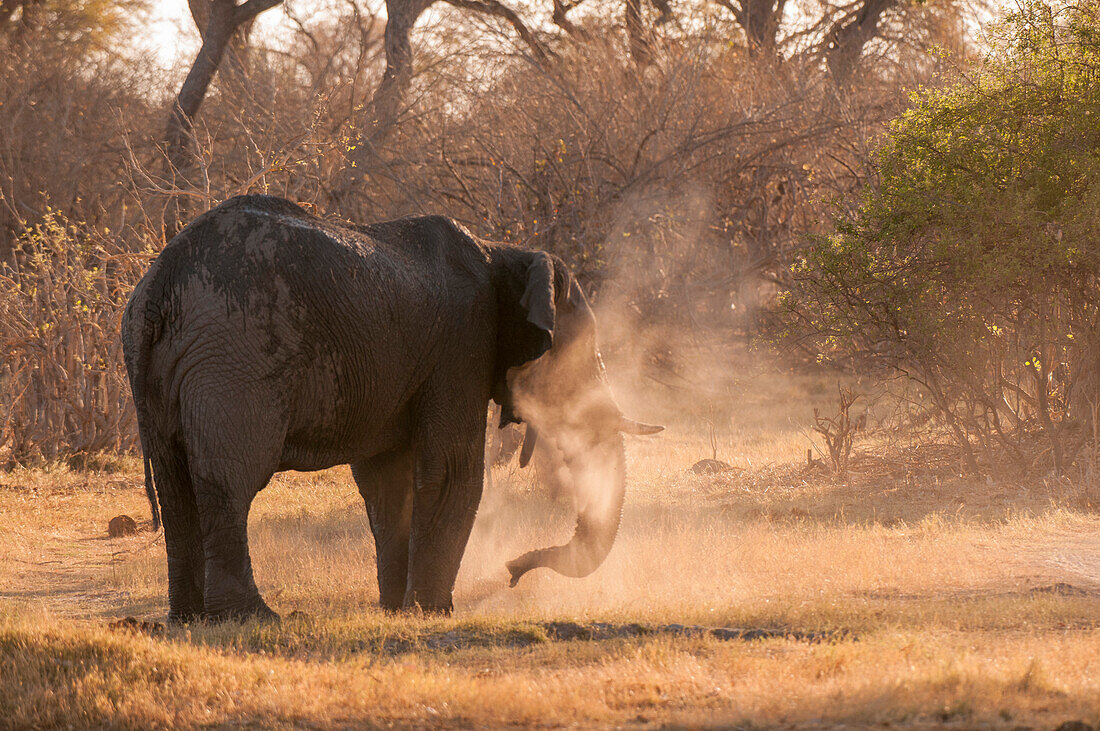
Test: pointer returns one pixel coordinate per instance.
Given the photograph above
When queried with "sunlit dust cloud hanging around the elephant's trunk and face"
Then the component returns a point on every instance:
(670, 361)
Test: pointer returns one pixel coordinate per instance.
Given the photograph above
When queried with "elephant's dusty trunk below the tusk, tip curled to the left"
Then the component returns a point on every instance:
(600, 474)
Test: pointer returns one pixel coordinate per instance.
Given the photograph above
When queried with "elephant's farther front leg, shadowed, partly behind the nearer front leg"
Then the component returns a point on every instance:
(386, 482)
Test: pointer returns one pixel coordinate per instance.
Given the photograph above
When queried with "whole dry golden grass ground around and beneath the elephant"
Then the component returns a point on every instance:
(936, 579)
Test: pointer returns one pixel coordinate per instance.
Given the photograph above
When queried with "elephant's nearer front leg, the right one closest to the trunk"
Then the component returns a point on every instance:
(445, 503)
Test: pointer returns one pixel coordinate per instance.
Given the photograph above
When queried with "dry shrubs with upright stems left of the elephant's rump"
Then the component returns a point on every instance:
(63, 389)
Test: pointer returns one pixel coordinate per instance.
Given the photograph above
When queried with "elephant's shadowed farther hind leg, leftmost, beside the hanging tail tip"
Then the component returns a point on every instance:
(183, 536)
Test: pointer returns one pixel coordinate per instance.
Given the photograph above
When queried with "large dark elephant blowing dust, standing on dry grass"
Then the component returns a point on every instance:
(265, 339)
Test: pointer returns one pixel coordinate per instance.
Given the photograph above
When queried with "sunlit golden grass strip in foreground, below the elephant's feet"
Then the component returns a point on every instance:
(60, 673)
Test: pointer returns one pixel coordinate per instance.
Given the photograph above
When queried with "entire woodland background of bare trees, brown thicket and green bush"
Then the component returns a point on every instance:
(898, 192)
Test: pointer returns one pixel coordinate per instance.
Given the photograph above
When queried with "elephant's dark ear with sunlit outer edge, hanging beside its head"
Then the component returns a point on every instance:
(526, 323)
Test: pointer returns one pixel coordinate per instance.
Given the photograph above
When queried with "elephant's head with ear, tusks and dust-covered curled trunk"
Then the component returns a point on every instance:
(552, 376)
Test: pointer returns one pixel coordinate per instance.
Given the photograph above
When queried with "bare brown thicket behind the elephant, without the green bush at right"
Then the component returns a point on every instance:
(678, 187)
